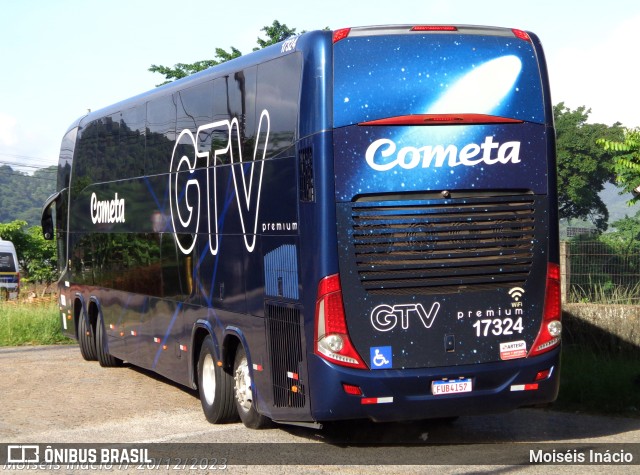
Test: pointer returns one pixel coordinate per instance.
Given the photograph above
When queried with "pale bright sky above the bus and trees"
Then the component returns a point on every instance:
(60, 58)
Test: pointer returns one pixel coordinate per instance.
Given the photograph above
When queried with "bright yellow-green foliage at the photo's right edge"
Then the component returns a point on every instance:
(626, 160)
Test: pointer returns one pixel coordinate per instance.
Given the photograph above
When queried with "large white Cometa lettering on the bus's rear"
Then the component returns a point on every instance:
(381, 155)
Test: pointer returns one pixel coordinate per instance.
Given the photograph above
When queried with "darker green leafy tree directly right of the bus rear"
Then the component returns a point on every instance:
(583, 166)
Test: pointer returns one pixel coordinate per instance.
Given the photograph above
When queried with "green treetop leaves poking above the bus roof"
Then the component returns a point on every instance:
(276, 32)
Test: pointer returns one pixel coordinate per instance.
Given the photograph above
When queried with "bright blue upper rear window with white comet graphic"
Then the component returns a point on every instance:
(386, 76)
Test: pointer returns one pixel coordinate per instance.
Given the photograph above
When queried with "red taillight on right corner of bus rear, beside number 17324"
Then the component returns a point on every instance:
(551, 328)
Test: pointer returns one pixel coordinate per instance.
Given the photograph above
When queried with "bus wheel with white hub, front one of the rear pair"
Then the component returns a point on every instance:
(215, 386)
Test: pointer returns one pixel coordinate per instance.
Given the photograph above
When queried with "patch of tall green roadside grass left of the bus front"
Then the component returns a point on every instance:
(30, 324)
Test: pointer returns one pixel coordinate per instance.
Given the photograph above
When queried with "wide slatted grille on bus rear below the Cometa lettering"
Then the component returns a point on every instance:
(443, 246)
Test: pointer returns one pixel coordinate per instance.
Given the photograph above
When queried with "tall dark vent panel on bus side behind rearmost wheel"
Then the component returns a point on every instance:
(285, 344)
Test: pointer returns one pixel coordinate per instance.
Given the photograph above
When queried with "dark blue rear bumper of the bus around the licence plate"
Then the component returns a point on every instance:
(399, 395)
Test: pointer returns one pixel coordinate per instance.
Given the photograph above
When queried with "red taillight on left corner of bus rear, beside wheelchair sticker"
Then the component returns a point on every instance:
(331, 335)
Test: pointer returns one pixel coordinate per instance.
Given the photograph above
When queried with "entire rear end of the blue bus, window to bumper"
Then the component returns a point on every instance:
(447, 299)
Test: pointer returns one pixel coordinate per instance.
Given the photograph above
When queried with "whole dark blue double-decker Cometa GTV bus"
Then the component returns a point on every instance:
(351, 224)
